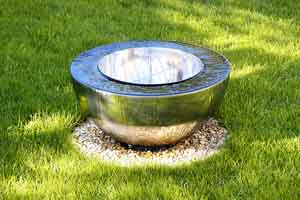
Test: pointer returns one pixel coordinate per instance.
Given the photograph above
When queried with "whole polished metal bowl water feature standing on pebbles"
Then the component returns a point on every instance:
(149, 92)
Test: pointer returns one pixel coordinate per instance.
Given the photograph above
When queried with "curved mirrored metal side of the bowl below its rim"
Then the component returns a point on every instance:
(149, 120)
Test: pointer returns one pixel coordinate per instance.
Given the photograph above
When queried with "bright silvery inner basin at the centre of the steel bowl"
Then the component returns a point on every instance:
(150, 66)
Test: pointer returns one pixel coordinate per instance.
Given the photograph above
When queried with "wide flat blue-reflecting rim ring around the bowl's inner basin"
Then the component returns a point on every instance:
(84, 70)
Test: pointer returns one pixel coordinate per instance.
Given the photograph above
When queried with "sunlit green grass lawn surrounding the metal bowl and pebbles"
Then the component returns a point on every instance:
(261, 109)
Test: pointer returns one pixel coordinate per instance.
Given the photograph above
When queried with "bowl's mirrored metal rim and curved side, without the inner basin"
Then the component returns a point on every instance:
(149, 115)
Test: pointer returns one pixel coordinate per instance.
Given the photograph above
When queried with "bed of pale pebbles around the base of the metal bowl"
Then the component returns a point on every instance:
(201, 143)
